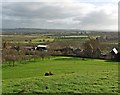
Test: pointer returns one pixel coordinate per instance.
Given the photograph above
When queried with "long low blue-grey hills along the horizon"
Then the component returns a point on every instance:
(47, 31)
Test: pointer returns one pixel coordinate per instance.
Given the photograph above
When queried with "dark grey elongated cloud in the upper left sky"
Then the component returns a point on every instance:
(25, 11)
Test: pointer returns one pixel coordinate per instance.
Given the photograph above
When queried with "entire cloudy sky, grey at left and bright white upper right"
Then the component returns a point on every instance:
(60, 14)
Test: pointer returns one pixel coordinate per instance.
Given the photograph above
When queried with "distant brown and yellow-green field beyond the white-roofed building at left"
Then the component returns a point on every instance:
(27, 39)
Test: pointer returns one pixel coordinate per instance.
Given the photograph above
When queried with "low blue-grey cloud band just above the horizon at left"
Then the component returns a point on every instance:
(41, 23)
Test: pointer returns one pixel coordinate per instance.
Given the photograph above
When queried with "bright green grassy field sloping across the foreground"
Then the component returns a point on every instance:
(71, 75)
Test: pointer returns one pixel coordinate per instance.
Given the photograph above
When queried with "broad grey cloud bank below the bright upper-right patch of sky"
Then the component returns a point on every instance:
(50, 15)
